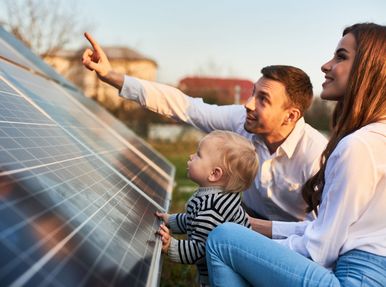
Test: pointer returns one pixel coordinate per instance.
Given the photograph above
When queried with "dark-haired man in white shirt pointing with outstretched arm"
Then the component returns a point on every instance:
(288, 148)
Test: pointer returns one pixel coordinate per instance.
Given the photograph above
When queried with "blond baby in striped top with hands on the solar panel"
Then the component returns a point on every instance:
(224, 165)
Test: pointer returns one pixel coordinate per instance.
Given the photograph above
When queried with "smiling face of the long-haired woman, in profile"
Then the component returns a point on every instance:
(337, 70)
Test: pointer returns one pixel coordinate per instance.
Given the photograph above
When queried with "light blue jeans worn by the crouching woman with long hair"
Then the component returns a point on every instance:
(238, 256)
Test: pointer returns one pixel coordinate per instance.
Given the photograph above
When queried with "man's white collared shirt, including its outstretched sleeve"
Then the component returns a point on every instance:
(276, 191)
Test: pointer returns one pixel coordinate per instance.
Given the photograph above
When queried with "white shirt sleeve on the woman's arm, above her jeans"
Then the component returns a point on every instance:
(343, 201)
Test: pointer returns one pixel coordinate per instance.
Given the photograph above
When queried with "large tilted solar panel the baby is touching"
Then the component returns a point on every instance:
(78, 190)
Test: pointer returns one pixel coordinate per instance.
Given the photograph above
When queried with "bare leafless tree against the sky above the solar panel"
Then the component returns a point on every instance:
(45, 26)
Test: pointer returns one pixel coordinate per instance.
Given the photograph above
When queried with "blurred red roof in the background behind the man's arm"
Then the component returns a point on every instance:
(225, 87)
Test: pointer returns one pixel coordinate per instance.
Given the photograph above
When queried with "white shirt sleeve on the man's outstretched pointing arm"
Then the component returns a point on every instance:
(171, 102)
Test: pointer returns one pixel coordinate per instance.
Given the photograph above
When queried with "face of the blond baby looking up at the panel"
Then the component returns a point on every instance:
(202, 163)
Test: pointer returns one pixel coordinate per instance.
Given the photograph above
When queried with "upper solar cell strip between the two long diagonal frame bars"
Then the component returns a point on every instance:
(102, 141)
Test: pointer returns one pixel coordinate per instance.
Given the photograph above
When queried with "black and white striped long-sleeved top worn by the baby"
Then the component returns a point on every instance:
(207, 208)
